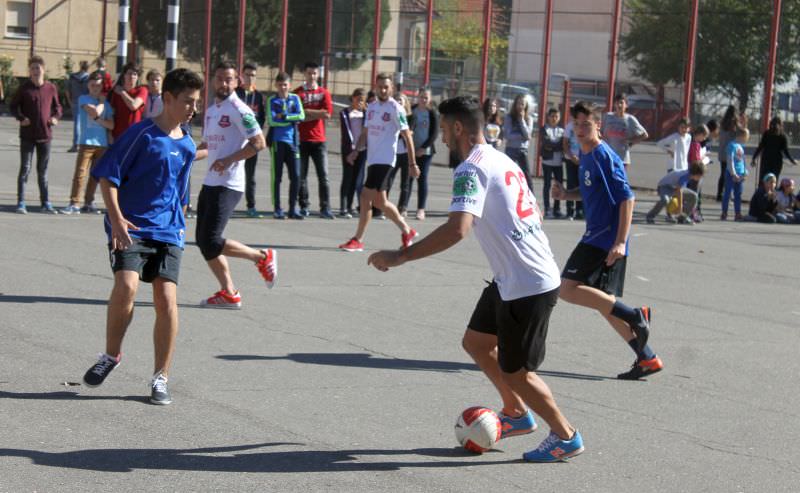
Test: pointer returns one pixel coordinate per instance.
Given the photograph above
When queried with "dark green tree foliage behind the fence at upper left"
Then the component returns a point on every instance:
(305, 33)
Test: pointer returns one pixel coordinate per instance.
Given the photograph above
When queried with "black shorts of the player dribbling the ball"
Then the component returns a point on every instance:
(520, 326)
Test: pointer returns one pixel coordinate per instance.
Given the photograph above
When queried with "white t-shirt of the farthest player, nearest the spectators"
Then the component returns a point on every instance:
(385, 120)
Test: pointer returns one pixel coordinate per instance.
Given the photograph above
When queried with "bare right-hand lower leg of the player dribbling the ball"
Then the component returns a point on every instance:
(537, 395)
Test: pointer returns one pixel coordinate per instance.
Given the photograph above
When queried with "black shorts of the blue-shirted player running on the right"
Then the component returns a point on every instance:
(587, 265)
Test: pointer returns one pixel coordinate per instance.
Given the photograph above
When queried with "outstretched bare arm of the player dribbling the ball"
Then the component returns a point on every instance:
(457, 227)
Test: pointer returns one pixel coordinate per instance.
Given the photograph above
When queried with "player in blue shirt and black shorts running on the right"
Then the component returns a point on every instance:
(594, 275)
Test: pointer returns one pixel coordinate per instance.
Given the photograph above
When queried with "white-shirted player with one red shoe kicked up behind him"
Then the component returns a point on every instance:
(231, 134)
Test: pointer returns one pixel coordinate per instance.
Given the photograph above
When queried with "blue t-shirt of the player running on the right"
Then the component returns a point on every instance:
(604, 186)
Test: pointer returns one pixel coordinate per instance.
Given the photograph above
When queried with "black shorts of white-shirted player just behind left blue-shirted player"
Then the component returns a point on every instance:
(215, 206)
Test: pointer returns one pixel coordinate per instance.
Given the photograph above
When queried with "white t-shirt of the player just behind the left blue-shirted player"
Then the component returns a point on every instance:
(229, 124)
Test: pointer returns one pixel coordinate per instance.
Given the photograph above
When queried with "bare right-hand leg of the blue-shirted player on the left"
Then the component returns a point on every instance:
(165, 330)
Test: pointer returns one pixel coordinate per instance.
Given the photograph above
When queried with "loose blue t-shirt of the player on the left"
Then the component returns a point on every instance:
(151, 171)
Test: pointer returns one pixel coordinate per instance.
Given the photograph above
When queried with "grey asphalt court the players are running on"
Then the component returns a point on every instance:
(343, 378)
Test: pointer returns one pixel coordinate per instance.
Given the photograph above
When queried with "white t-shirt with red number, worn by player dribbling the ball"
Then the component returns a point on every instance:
(508, 223)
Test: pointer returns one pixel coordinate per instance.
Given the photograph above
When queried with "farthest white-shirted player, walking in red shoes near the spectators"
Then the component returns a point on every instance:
(385, 121)
